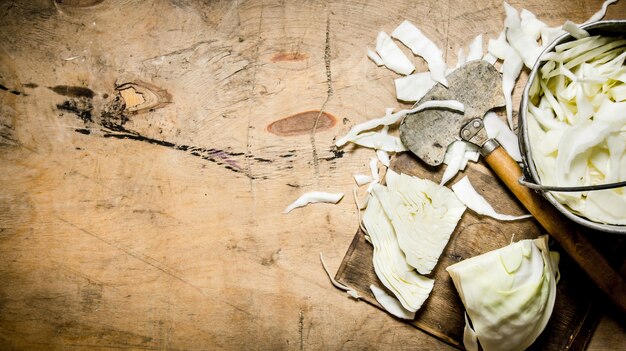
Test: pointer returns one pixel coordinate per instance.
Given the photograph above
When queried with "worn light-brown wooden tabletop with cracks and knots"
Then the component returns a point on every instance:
(159, 225)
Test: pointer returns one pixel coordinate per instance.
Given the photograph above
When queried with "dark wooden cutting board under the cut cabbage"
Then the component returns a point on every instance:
(574, 316)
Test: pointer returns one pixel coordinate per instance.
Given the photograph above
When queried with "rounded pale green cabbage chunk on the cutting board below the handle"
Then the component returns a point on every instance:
(508, 294)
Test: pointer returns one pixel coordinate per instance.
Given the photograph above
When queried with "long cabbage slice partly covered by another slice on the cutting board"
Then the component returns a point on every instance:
(390, 265)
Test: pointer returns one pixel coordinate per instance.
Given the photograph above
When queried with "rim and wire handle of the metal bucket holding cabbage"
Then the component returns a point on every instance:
(612, 28)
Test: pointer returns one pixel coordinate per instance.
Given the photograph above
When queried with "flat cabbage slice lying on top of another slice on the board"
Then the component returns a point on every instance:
(423, 214)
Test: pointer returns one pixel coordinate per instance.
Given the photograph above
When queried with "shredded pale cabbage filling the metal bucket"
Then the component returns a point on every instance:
(577, 124)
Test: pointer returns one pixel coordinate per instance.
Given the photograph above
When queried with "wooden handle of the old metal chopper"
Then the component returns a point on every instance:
(560, 228)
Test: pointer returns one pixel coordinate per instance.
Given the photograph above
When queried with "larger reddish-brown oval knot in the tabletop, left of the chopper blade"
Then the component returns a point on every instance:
(302, 123)
